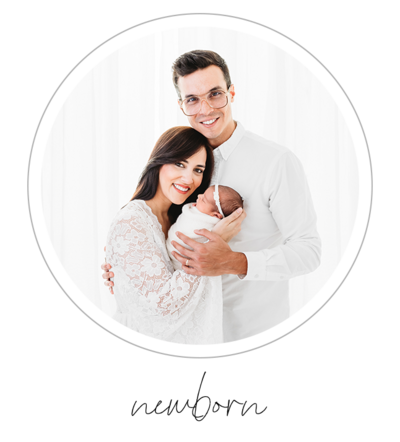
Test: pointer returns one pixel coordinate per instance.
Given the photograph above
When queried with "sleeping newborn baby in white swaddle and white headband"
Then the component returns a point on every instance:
(216, 203)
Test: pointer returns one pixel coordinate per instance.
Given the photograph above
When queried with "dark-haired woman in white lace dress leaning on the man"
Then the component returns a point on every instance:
(152, 298)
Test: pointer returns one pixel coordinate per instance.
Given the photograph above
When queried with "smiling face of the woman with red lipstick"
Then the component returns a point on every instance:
(179, 180)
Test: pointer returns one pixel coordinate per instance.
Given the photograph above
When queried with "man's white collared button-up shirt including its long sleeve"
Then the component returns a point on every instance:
(278, 236)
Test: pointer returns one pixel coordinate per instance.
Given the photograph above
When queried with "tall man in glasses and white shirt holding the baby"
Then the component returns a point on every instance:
(278, 239)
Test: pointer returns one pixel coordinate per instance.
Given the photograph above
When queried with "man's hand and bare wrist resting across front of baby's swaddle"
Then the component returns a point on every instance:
(213, 258)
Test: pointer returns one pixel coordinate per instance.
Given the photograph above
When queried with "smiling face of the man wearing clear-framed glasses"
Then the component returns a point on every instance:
(215, 124)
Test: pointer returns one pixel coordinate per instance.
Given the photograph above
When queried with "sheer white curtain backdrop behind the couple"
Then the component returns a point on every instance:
(104, 134)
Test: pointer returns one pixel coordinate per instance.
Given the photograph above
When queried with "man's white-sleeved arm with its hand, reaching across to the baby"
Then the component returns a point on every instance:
(292, 209)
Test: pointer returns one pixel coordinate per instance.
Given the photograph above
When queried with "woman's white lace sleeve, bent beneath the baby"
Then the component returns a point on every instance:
(157, 300)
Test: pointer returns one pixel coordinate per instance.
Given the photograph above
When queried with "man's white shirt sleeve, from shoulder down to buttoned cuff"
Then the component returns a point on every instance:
(292, 209)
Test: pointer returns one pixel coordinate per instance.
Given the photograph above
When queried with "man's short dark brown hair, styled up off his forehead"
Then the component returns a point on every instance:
(192, 61)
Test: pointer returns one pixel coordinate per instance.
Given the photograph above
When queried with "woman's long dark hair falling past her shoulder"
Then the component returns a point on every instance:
(174, 145)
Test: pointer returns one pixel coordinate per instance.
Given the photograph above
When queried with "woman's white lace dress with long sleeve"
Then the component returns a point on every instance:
(152, 298)
